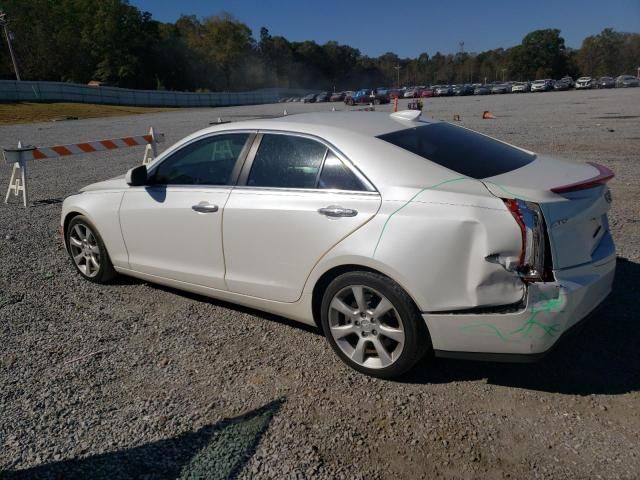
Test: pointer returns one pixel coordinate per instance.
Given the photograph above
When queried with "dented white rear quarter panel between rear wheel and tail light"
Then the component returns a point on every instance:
(438, 243)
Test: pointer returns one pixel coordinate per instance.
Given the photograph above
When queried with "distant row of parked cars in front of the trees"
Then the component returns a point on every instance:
(382, 95)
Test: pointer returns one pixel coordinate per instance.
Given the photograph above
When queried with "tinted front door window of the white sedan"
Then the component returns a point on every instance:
(206, 162)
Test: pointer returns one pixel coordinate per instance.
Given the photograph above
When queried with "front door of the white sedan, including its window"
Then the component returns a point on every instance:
(172, 227)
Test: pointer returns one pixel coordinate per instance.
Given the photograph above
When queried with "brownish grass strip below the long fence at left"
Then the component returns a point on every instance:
(25, 112)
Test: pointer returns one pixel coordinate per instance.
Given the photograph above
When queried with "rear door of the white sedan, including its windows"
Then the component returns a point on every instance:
(295, 200)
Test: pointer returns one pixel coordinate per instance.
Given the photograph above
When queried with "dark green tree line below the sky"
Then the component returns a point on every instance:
(116, 43)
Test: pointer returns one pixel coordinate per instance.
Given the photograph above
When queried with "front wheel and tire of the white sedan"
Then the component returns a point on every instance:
(87, 251)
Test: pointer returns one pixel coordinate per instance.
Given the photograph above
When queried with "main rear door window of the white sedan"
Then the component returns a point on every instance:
(286, 161)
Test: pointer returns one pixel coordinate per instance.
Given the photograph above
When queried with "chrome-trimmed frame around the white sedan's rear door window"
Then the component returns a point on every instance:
(242, 181)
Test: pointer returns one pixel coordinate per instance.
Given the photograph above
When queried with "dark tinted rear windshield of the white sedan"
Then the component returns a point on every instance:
(460, 150)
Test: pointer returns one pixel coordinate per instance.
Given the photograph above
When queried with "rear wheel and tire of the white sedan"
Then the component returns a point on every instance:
(361, 339)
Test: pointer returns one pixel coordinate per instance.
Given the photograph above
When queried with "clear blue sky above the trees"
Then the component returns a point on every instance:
(410, 27)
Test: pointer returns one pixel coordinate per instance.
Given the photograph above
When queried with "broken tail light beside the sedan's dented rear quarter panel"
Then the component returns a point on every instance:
(535, 261)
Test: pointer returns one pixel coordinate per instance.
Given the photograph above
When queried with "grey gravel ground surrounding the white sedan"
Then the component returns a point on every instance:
(132, 380)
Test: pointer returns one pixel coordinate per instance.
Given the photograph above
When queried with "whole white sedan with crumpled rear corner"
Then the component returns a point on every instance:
(397, 236)
